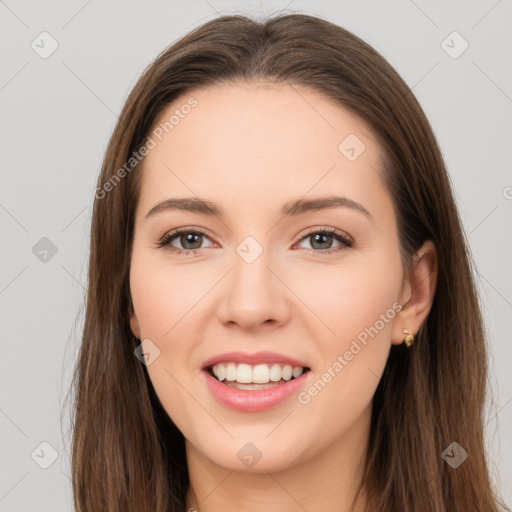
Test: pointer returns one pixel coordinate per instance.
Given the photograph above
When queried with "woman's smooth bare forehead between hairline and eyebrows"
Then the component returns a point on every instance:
(242, 140)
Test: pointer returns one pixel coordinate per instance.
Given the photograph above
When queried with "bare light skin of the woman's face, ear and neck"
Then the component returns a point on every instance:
(250, 148)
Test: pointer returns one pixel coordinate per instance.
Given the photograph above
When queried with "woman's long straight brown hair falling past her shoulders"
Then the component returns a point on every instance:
(126, 452)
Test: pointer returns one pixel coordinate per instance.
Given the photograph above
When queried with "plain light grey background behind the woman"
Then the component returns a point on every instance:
(58, 113)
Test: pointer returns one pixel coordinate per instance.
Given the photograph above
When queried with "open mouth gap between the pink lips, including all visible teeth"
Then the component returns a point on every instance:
(255, 377)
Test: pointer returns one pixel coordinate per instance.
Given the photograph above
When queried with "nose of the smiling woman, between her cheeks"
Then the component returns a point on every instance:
(254, 293)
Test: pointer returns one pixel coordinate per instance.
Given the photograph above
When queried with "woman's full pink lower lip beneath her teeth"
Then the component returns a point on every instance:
(254, 400)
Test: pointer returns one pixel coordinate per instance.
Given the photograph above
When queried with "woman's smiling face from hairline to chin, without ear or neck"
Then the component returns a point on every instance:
(316, 289)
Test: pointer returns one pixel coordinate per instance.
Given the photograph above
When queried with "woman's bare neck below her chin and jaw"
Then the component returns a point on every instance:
(326, 481)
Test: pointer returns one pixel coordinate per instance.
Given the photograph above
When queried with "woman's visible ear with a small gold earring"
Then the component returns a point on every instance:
(418, 293)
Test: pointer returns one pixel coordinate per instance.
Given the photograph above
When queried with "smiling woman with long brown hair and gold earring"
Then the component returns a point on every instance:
(281, 312)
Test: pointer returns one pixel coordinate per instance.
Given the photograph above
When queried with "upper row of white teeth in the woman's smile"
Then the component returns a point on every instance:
(258, 374)
